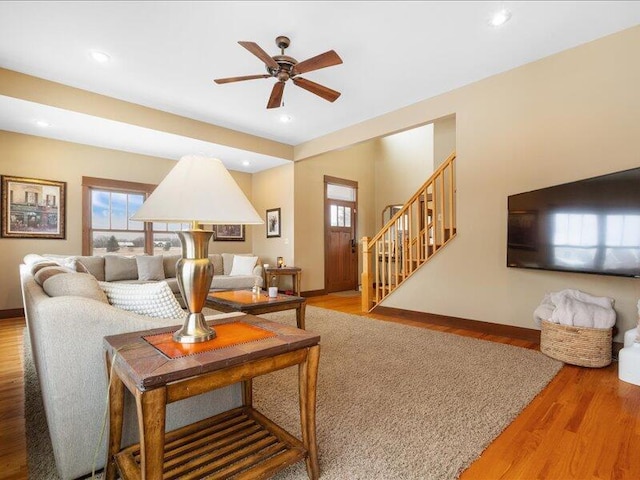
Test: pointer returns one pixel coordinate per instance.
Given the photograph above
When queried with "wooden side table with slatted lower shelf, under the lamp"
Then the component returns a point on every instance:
(239, 442)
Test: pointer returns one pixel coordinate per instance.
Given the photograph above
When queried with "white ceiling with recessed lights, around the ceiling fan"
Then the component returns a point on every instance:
(166, 54)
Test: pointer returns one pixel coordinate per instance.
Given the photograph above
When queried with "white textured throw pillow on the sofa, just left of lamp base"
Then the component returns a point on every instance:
(150, 299)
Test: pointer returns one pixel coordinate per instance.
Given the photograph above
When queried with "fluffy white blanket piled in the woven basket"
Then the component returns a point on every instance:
(573, 307)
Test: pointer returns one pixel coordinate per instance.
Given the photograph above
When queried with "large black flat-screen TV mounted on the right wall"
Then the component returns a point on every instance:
(588, 226)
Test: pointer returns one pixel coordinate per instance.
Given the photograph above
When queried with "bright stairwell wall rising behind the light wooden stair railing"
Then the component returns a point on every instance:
(403, 162)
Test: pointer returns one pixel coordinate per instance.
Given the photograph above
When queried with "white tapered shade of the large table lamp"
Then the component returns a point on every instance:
(198, 189)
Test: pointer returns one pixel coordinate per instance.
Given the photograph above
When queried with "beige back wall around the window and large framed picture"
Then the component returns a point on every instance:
(29, 156)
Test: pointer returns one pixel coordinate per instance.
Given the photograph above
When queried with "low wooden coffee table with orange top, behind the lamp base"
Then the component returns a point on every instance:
(245, 301)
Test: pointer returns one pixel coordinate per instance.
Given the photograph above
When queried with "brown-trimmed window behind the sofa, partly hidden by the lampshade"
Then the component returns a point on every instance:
(108, 207)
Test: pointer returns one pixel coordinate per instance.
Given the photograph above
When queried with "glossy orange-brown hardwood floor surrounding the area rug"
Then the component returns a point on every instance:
(584, 425)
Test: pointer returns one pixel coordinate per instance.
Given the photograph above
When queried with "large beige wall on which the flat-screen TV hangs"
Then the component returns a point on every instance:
(573, 115)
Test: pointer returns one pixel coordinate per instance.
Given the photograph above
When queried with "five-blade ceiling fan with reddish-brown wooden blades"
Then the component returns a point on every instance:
(282, 67)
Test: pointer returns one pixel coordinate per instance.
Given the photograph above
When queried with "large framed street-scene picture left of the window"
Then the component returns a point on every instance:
(33, 208)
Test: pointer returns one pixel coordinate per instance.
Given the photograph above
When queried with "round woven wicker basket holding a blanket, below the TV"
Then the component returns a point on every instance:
(585, 347)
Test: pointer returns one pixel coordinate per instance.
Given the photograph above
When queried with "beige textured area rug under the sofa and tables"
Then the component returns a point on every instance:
(394, 401)
